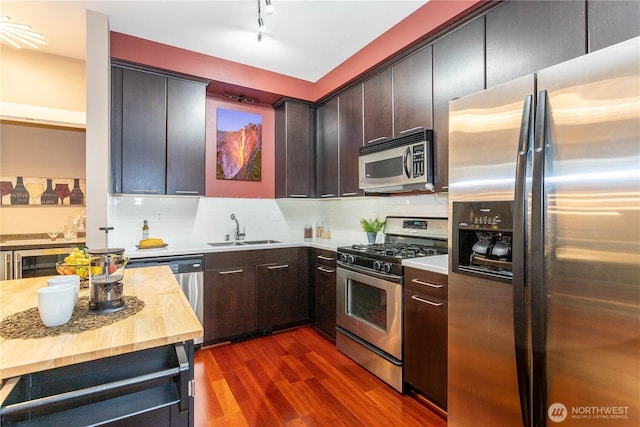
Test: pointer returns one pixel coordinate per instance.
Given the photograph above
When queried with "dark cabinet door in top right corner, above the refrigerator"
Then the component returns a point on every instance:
(611, 22)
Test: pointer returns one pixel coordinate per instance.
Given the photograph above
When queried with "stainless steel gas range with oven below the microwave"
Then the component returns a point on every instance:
(369, 293)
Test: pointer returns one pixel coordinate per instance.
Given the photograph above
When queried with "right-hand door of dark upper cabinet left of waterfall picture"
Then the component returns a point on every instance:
(185, 137)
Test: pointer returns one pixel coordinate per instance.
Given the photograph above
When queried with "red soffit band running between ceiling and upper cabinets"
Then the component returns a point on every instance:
(424, 21)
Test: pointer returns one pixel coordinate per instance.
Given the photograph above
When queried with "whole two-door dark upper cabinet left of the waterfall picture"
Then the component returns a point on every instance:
(157, 134)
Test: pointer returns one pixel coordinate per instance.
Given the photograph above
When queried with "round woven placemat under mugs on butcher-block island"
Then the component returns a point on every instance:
(27, 323)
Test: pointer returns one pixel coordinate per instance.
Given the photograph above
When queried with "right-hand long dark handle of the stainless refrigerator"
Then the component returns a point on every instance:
(537, 261)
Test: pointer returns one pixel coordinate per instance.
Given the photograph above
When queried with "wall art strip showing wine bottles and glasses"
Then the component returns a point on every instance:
(30, 191)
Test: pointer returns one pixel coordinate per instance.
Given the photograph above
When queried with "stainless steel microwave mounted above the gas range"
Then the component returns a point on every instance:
(401, 164)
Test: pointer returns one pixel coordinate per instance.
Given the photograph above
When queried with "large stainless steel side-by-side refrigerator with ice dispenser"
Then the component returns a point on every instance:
(544, 247)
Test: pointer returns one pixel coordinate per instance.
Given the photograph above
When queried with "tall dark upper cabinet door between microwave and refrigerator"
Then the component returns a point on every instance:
(458, 70)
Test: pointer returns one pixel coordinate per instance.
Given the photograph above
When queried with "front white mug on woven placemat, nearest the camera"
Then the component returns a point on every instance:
(55, 304)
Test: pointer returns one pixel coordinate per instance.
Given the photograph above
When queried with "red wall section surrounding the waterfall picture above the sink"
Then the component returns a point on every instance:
(264, 189)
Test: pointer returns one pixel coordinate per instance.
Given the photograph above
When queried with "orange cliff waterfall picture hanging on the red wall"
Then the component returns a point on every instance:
(238, 145)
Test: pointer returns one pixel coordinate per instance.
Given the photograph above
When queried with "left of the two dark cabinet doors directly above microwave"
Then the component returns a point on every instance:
(378, 107)
